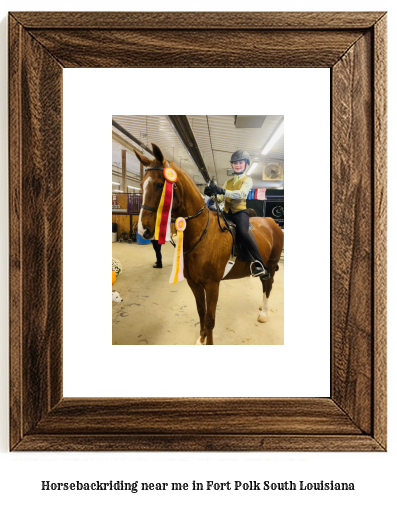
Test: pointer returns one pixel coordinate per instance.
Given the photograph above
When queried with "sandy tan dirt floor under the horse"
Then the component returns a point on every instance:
(154, 312)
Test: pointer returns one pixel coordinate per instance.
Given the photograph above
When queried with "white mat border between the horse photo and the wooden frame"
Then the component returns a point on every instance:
(92, 366)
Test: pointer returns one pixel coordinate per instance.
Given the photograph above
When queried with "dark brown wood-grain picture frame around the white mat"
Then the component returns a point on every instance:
(353, 46)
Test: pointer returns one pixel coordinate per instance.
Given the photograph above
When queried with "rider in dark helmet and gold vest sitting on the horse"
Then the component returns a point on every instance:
(235, 192)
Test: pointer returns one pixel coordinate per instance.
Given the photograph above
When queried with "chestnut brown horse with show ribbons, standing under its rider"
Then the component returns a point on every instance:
(205, 260)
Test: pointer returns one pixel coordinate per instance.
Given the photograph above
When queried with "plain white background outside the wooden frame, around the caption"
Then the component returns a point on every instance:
(20, 474)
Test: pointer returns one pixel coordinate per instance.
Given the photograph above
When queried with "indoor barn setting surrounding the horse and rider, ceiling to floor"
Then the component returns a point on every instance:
(153, 311)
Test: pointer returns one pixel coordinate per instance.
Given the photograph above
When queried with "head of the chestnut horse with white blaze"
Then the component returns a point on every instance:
(152, 187)
